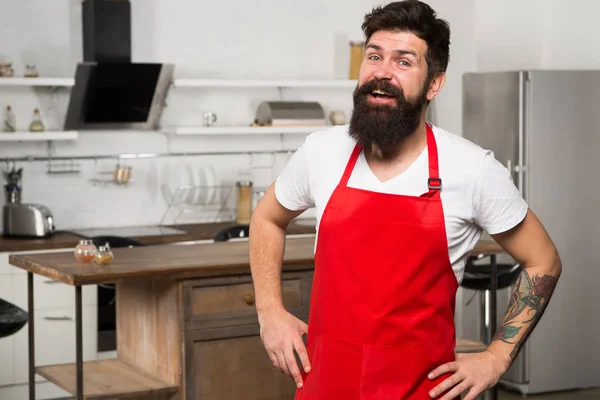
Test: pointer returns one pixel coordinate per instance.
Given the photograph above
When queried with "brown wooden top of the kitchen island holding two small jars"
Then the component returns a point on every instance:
(175, 262)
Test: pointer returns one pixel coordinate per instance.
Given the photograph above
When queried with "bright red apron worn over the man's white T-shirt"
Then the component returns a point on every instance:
(382, 304)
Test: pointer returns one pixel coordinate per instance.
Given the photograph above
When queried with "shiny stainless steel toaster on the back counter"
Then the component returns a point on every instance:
(27, 220)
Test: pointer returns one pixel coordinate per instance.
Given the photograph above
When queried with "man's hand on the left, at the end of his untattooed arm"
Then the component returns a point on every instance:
(281, 333)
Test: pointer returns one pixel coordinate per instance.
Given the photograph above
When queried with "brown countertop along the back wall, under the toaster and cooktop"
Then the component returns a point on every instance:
(61, 240)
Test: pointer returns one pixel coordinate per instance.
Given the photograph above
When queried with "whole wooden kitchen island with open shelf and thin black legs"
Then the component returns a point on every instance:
(186, 321)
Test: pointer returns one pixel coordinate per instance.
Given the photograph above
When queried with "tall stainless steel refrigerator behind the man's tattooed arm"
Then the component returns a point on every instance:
(544, 126)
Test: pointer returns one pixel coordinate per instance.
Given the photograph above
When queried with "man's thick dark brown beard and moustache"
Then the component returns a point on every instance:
(384, 125)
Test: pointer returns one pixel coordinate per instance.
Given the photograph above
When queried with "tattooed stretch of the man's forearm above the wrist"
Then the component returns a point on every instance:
(529, 299)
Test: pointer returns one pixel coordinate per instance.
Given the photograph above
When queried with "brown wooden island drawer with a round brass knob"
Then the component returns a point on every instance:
(217, 302)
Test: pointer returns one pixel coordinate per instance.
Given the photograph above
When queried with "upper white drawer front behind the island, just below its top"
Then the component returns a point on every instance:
(51, 294)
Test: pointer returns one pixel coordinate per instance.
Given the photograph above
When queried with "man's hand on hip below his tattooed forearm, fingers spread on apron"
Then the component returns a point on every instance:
(474, 373)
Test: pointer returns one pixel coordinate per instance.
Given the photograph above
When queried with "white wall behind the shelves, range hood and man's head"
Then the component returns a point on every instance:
(267, 39)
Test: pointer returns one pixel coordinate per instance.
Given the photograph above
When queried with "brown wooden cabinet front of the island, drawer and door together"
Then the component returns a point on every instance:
(224, 356)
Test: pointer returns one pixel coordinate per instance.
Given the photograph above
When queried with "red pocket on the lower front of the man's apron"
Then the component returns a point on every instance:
(387, 373)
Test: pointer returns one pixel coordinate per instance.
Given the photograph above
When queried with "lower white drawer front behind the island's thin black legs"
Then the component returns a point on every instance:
(55, 340)
